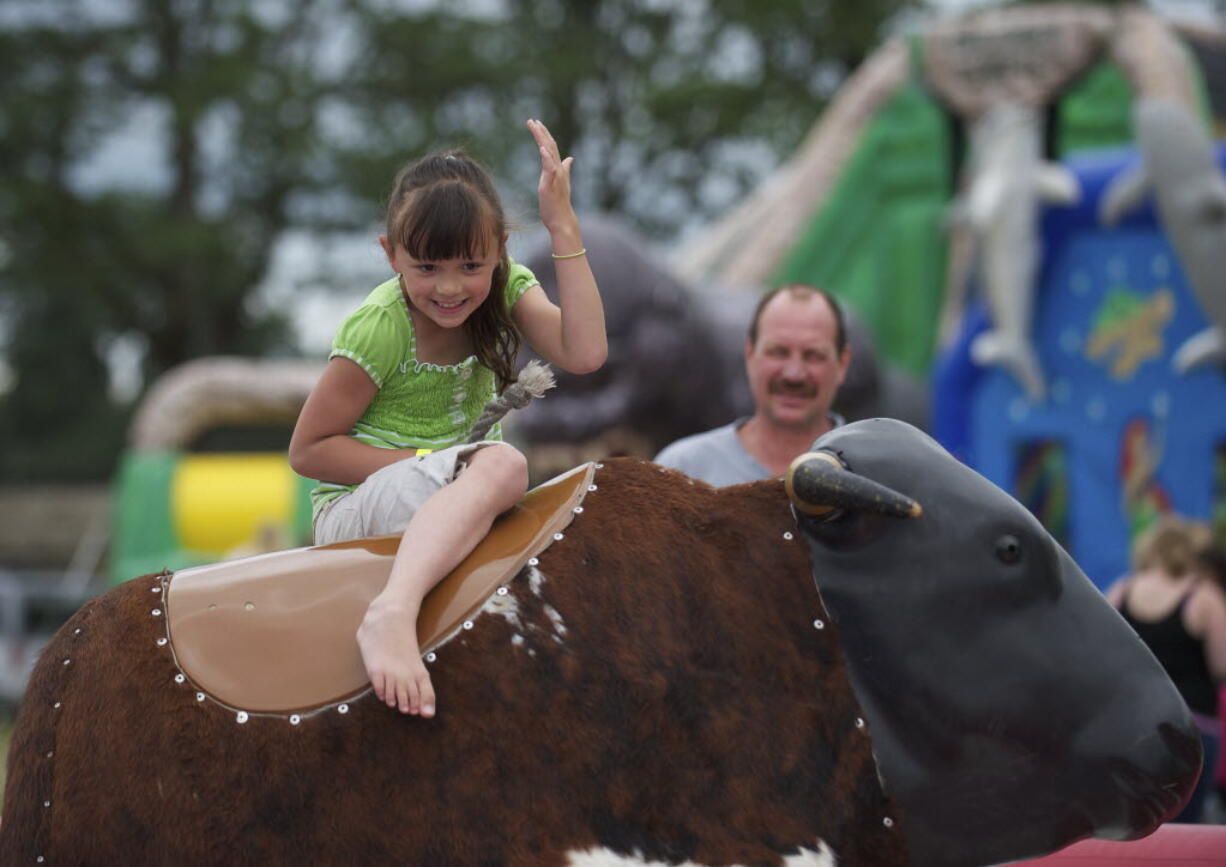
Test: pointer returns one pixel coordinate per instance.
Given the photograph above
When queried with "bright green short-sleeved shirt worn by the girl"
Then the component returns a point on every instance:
(419, 405)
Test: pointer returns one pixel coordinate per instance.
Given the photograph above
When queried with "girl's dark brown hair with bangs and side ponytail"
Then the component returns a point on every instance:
(446, 207)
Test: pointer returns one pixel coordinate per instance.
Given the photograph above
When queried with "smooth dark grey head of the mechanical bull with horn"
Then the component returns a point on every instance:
(1012, 709)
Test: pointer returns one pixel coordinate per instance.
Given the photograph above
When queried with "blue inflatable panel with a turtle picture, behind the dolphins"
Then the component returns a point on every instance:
(1121, 436)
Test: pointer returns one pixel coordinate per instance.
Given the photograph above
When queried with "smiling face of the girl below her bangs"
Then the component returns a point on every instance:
(448, 291)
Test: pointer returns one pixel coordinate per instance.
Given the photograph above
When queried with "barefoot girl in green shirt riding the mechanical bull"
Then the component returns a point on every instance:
(409, 375)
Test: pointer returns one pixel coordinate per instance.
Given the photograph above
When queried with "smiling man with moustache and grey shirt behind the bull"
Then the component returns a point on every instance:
(796, 359)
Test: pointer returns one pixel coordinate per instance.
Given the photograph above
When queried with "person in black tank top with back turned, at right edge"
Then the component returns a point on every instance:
(1180, 613)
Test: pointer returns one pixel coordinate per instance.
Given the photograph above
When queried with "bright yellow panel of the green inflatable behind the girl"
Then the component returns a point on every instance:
(223, 502)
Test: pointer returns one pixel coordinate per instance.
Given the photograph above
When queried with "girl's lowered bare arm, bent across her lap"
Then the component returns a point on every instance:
(322, 447)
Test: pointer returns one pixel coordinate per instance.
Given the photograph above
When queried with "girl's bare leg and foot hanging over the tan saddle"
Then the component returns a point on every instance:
(441, 534)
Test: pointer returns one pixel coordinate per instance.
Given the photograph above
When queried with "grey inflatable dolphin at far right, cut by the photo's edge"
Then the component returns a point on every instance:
(1179, 166)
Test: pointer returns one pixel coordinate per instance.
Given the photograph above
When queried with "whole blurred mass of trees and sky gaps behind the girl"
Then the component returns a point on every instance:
(156, 150)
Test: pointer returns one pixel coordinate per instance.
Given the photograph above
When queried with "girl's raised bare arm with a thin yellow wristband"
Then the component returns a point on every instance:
(573, 338)
